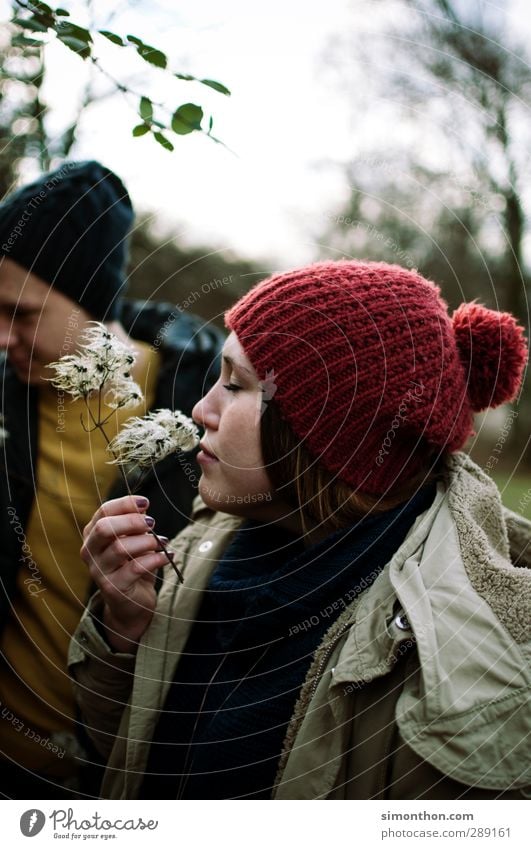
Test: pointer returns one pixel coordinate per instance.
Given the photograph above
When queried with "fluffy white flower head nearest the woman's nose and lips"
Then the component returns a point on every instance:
(148, 439)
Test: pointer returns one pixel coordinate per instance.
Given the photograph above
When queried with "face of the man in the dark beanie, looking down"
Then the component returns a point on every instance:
(37, 324)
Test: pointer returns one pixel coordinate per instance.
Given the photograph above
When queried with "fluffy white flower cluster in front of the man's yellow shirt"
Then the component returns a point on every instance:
(102, 360)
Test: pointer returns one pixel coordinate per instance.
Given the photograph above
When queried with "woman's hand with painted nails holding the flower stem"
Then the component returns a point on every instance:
(123, 558)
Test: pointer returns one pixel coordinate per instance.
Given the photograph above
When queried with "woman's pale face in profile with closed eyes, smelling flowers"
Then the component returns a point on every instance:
(234, 479)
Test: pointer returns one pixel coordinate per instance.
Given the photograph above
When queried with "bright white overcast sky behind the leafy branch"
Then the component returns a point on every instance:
(286, 117)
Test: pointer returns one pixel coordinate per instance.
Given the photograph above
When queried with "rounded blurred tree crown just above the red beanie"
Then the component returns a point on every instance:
(397, 212)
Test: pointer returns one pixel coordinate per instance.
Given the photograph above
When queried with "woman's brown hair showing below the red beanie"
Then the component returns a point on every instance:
(319, 495)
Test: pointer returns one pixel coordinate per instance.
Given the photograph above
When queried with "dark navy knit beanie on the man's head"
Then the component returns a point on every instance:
(70, 228)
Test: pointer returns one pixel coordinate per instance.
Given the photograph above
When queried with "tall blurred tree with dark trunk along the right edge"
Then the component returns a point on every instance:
(467, 65)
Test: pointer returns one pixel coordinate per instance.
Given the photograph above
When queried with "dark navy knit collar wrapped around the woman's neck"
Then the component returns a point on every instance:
(268, 582)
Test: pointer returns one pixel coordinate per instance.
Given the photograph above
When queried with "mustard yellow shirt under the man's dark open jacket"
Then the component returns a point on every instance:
(73, 477)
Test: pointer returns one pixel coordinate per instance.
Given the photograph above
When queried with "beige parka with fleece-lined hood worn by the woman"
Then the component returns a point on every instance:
(419, 689)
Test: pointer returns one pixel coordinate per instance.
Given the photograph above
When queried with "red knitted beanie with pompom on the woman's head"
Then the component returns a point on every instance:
(366, 365)
